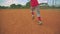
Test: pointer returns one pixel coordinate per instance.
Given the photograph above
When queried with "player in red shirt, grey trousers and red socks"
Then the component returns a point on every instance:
(35, 5)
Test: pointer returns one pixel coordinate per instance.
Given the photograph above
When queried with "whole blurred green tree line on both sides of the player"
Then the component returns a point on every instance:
(14, 6)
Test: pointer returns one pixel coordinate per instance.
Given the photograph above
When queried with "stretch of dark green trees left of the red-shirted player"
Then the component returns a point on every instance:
(16, 6)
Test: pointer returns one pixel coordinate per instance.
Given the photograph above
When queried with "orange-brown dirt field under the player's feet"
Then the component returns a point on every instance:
(19, 21)
